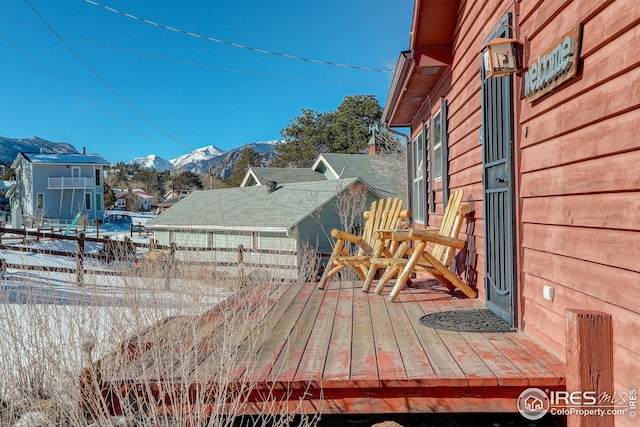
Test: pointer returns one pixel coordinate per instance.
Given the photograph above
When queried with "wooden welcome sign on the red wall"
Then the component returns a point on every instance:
(553, 68)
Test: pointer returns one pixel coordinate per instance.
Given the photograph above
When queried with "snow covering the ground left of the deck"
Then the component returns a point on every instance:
(46, 318)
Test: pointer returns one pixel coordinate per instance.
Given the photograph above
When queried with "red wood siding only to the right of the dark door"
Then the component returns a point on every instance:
(579, 181)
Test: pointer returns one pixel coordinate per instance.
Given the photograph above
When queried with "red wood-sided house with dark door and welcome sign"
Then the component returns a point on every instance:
(547, 157)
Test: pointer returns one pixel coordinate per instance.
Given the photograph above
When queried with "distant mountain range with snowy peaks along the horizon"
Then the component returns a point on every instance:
(221, 162)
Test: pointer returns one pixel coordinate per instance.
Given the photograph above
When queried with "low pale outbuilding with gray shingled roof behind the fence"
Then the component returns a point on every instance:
(292, 217)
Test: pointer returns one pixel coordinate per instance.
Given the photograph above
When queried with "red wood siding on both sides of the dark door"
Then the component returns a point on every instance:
(577, 157)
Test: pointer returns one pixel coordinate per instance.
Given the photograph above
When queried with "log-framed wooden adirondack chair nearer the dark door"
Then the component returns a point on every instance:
(406, 260)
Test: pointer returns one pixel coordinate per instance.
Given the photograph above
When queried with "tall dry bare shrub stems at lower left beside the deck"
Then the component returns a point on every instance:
(194, 327)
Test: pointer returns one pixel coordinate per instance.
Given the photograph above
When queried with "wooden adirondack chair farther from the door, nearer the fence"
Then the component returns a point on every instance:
(384, 213)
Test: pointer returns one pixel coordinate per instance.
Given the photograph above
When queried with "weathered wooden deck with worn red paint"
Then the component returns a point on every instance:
(334, 351)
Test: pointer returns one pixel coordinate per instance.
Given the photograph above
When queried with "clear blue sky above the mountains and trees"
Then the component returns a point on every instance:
(154, 91)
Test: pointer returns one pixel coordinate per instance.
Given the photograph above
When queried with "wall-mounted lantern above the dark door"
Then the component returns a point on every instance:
(502, 56)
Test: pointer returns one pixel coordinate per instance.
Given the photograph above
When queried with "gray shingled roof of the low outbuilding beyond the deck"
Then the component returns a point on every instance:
(250, 208)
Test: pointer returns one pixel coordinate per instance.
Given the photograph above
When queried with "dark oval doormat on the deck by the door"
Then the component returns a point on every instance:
(466, 321)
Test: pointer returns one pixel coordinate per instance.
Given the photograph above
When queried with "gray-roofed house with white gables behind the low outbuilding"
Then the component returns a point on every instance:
(385, 175)
